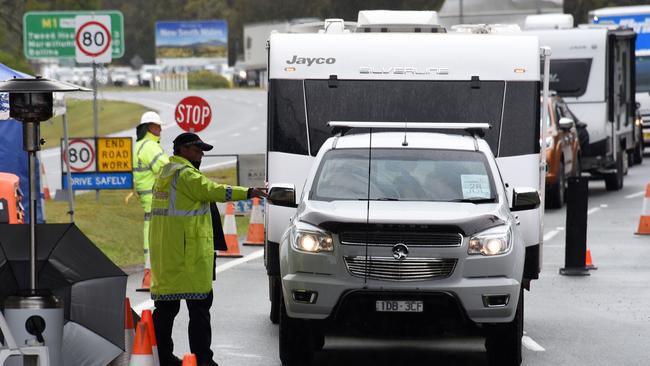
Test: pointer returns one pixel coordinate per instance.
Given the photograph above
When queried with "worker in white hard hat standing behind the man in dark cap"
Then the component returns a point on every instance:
(148, 160)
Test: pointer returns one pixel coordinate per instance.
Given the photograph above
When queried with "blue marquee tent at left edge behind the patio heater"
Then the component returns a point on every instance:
(13, 159)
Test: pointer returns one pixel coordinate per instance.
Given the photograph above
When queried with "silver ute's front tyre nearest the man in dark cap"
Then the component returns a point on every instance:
(296, 340)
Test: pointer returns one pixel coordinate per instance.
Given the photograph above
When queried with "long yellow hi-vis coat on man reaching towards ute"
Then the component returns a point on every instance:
(182, 249)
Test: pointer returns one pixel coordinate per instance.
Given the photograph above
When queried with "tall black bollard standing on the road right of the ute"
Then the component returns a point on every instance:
(576, 228)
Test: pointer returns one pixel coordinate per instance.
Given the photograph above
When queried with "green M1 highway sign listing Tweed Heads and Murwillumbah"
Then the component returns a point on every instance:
(51, 34)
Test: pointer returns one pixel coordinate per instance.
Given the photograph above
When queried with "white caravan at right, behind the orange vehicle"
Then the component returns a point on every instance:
(592, 68)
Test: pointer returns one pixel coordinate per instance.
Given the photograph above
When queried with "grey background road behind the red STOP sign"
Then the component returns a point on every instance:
(238, 124)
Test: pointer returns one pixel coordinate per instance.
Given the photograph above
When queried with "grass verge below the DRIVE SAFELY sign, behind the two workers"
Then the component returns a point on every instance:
(116, 226)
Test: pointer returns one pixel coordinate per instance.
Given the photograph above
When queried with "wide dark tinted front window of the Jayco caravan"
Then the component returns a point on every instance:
(299, 110)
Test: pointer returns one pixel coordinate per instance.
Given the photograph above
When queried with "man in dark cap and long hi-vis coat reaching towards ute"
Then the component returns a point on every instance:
(182, 246)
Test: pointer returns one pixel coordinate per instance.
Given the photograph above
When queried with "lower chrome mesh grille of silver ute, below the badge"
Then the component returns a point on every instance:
(410, 269)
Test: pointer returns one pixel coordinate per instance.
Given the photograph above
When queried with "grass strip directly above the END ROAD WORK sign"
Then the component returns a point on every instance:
(113, 117)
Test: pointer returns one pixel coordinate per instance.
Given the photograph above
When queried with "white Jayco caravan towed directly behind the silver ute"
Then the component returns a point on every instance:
(418, 73)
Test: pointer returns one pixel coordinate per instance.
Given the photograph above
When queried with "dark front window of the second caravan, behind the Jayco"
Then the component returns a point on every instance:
(569, 78)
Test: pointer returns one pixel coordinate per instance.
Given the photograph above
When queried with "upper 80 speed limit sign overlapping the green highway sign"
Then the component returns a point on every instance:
(93, 39)
